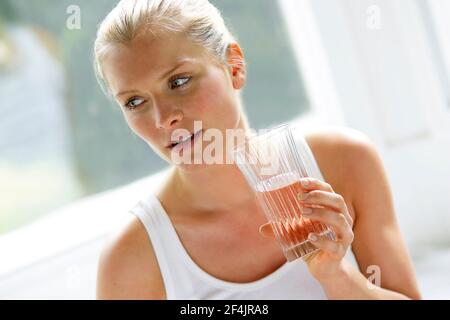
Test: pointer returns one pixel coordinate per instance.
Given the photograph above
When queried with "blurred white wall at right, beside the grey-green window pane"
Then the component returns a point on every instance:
(390, 89)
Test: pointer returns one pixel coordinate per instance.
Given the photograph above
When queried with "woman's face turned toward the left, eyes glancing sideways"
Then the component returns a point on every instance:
(166, 83)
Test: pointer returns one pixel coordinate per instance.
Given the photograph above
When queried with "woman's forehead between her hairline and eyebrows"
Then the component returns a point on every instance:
(148, 57)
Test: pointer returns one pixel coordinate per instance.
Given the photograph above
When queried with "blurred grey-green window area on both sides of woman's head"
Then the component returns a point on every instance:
(61, 139)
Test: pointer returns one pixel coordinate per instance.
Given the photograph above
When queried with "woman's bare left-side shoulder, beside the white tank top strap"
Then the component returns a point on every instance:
(128, 268)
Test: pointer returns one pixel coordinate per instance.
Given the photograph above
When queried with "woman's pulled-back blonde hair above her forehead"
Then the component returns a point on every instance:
(199, 20)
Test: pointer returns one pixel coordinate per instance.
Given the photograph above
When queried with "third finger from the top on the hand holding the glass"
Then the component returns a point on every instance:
(331, 218)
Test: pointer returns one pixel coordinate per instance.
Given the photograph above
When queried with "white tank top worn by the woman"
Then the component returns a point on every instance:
(184, 279)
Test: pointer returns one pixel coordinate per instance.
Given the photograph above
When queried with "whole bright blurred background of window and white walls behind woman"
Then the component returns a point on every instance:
(70, 168)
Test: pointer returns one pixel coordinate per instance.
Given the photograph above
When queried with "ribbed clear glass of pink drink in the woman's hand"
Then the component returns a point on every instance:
(273, 166)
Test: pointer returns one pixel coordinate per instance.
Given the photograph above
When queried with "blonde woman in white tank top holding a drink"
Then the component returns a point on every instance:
(169, 63)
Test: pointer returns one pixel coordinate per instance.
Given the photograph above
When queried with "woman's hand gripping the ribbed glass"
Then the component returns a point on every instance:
(327, 207)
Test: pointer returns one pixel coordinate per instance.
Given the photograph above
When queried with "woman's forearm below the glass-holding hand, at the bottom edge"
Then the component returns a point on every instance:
(349, 283)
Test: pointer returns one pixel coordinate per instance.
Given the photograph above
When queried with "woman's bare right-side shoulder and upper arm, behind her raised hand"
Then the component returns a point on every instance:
(351, 163)
